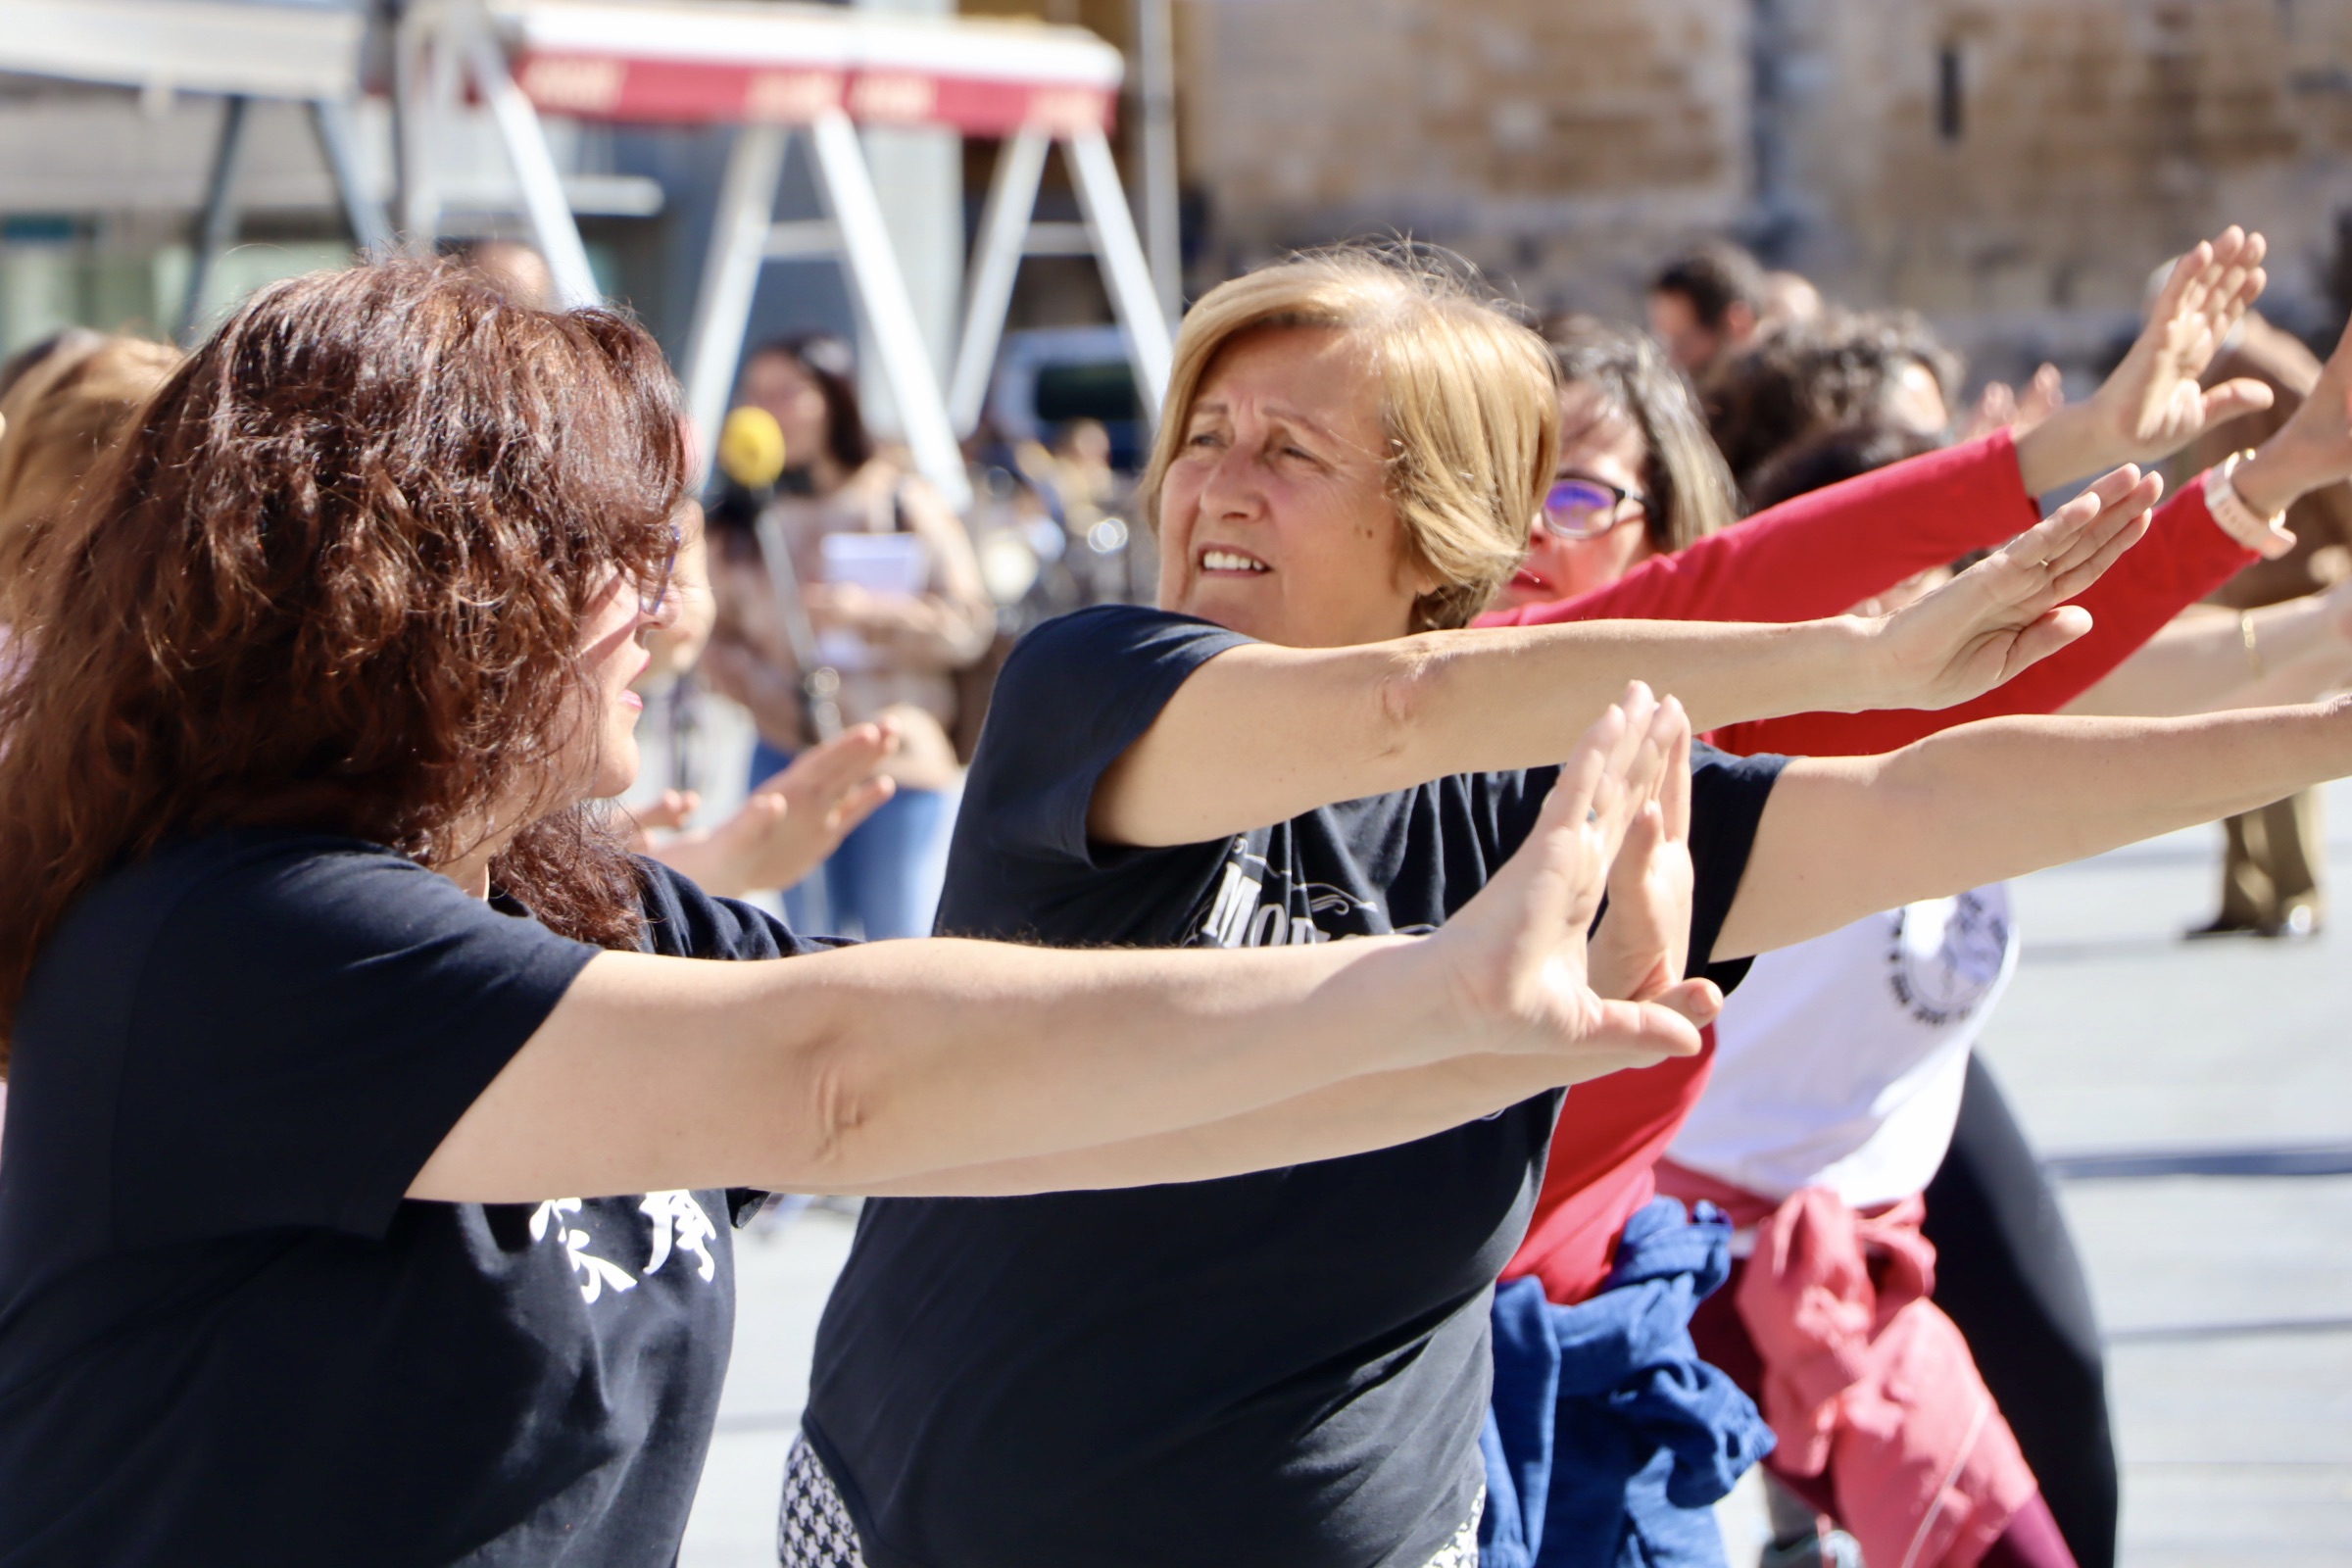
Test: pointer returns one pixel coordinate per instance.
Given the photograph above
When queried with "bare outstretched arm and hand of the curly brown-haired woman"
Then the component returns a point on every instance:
(855, 1068)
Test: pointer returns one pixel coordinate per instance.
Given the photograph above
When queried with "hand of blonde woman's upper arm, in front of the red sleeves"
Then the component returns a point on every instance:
(2010, 610)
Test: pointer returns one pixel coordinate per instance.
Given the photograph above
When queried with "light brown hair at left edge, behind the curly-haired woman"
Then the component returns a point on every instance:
(67, 410)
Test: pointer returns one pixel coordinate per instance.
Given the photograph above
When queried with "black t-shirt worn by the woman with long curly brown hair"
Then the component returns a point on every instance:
(225, 1332)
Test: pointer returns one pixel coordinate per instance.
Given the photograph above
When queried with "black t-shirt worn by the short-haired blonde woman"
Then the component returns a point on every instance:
(1281, 1369)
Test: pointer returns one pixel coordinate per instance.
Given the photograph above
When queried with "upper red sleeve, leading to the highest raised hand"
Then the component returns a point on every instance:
(1822, 554)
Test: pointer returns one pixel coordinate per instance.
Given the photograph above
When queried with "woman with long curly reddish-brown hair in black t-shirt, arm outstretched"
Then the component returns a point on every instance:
(323, 991)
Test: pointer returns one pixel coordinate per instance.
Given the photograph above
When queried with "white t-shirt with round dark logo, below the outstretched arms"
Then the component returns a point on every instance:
(1840, 1061)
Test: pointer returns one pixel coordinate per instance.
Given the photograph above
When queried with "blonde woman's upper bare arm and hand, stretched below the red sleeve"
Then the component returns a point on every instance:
(1325, 725)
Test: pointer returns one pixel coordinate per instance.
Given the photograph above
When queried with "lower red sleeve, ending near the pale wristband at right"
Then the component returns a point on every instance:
(2184, 558)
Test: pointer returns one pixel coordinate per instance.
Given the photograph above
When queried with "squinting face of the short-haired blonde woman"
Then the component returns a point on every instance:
(1276, 516)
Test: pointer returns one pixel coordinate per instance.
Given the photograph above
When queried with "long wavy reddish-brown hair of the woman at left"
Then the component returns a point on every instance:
(335, 579)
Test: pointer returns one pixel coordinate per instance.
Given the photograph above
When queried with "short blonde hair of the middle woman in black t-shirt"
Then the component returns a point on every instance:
(1469, 401)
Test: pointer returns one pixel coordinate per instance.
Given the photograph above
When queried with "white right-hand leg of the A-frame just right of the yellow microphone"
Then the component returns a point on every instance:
(890, 314)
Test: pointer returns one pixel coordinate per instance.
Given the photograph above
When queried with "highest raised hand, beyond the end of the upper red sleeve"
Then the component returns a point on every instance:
(2153, 403)
